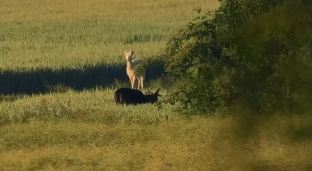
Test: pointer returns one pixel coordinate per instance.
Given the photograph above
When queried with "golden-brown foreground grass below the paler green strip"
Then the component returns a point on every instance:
(178, 144)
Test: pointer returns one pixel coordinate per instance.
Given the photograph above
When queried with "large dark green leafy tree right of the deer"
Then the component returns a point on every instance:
(256, 54)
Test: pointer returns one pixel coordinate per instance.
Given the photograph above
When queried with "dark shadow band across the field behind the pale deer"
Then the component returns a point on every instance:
(88, 77)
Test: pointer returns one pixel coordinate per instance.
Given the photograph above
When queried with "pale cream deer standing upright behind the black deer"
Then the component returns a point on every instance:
(130, 70)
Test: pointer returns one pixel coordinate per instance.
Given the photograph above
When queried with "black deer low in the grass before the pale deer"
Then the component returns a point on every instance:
(132, 96)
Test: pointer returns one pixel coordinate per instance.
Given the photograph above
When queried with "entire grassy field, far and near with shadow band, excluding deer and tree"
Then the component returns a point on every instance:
(65, 129)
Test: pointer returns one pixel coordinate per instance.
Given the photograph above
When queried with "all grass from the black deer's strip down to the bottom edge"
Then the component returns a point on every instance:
(87, 131)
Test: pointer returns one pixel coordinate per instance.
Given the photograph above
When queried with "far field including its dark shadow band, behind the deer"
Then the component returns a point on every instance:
(81, 44)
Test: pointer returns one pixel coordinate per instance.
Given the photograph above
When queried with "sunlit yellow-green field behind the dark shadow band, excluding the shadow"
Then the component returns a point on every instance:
(57, 34)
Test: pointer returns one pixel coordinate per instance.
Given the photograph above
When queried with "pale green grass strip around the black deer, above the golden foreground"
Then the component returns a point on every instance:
(96, 104)
